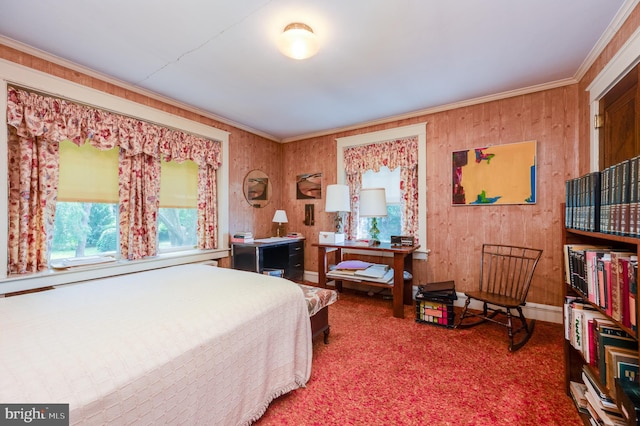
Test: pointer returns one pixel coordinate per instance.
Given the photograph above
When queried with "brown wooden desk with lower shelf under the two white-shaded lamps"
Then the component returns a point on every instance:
(402, 261)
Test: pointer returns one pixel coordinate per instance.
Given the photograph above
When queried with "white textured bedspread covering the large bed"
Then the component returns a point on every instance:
(190, 344)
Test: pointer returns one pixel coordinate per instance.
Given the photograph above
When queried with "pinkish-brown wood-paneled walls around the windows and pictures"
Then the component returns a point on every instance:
(557, 119)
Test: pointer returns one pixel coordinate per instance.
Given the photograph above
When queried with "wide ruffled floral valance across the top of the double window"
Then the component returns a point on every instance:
(55, 120)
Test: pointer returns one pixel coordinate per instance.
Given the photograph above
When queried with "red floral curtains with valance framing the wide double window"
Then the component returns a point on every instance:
(41, 122)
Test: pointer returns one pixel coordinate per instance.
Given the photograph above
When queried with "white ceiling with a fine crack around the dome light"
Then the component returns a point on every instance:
(377, 58)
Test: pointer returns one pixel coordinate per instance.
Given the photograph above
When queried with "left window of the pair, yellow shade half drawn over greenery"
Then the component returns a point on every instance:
(86, 219)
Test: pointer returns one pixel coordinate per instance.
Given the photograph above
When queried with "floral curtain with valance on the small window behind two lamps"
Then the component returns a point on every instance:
(401, 153)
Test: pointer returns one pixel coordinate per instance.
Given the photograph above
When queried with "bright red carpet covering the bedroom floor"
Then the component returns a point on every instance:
(380, 370)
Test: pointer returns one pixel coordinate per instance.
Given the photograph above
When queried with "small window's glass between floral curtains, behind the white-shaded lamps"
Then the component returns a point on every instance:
(392, 223)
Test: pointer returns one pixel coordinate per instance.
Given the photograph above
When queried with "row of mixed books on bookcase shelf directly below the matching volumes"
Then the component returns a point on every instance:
(605, 277)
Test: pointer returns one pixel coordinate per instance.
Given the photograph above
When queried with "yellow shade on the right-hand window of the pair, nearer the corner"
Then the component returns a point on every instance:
(179, 185)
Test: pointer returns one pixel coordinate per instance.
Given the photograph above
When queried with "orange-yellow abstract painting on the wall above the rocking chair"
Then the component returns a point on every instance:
(499, 174)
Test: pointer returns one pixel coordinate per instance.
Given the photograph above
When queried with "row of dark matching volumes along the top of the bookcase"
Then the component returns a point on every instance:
(606, 201)
